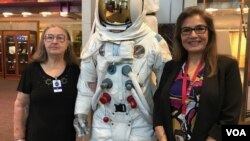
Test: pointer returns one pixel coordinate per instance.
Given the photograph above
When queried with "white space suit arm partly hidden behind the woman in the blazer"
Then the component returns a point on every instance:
(162, 55)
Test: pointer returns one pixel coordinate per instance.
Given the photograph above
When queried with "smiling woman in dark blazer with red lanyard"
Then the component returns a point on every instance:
(199, 90)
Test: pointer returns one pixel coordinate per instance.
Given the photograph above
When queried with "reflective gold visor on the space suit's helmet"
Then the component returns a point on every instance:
(114, 12)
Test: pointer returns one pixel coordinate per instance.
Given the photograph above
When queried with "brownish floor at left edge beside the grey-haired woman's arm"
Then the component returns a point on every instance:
(7, 98)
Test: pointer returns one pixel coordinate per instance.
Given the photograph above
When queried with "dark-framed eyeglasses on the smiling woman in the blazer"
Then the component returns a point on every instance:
(199, 29)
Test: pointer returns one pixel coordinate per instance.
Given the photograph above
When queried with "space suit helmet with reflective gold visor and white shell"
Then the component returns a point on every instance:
(119, 14)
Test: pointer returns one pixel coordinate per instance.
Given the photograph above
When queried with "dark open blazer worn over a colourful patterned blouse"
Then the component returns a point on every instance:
(220, 100)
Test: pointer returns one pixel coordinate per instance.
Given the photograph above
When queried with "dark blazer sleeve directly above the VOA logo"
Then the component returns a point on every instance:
(231, 99)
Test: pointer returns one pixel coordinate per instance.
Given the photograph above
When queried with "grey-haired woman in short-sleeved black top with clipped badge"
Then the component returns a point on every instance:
(44, 107)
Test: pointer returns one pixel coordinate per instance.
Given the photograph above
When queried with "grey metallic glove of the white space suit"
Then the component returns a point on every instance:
(81, 125)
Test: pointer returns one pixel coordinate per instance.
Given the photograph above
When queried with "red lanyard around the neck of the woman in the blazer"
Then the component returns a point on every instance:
(184, 92)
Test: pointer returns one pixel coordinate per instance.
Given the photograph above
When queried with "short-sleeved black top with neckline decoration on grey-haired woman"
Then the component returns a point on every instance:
(51, 113)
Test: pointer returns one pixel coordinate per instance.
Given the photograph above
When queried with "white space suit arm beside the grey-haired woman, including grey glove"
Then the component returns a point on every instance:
(86, 88)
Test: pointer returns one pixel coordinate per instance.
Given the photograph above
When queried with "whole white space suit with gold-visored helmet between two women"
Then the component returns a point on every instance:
(115, 78)
